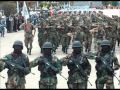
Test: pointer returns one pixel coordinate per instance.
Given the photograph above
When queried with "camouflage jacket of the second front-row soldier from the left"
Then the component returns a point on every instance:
(47, 73)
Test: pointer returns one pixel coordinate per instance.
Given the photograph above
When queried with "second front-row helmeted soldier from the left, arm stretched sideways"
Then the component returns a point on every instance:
(49, 66)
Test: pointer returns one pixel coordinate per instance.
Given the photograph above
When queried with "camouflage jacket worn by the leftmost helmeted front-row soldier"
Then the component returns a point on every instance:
(13, 63)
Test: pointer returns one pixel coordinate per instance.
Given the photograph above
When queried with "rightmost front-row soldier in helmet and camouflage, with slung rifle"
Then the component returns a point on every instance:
(104, 66)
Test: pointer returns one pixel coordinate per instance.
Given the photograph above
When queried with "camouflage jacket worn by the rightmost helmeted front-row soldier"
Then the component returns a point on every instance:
(104, 62)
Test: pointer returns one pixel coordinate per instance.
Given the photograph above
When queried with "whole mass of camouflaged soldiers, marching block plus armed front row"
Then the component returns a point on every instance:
(80, 30)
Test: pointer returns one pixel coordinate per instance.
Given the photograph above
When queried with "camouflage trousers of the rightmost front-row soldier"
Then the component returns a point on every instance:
(107, 80)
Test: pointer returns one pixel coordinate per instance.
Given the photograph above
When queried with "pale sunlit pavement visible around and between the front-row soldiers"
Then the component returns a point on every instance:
(32, 80)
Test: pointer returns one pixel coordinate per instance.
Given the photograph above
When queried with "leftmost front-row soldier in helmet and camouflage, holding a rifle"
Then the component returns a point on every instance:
(17, 64)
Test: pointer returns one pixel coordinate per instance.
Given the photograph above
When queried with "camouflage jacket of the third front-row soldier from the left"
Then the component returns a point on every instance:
(74, 71)
